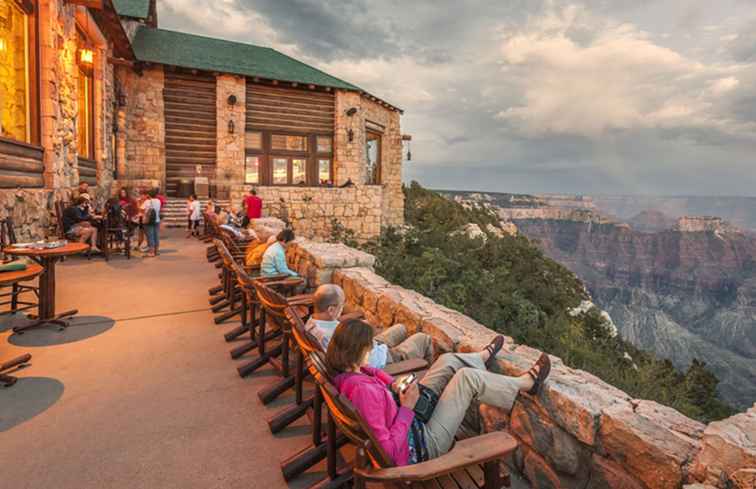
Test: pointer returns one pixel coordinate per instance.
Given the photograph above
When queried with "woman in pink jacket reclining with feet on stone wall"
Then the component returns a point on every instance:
(456, 381)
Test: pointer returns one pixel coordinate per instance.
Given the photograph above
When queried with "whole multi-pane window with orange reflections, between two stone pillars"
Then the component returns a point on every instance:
(277, 158)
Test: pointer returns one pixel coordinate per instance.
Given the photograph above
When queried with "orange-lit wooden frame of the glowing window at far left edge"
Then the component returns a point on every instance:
(33, 123)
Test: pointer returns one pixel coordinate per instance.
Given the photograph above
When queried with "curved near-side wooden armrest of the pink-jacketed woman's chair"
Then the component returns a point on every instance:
(472, 451)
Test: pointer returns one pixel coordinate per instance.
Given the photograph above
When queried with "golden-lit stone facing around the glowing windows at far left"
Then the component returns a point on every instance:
(32, 209)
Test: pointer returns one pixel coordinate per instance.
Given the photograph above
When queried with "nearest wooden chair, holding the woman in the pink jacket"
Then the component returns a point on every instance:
(472, 463)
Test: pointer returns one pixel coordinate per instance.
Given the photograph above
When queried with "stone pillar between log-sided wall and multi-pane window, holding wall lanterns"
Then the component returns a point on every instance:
(230, 146)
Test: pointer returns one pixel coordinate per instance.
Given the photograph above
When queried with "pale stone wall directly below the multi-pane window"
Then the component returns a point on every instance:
(312, 210)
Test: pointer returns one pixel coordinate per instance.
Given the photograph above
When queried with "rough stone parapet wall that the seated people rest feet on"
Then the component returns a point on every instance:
(580, 432)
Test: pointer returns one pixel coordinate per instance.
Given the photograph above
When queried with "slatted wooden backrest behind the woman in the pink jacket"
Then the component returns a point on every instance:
(349, 421)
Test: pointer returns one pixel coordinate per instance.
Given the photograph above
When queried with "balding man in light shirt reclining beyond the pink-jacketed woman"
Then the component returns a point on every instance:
(392, 345)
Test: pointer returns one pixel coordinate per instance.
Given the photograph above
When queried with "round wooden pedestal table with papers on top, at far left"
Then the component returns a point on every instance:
(48, 258)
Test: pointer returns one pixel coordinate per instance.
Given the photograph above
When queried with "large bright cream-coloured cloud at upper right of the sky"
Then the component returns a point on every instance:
(617, 79)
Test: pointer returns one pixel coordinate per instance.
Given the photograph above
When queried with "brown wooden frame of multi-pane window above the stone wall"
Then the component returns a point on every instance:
(267, 154)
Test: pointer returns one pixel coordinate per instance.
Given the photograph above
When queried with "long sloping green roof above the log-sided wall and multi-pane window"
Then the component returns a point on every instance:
(208, 54)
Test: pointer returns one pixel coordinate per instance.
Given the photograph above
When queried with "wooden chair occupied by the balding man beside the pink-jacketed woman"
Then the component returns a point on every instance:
(306, 345)
